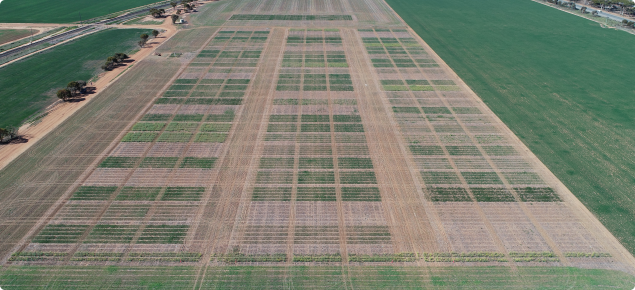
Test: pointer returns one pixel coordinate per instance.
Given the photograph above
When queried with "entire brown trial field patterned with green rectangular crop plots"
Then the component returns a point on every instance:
(296, 144)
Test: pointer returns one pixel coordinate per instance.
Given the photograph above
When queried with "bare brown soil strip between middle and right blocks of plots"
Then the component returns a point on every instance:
(403, 198)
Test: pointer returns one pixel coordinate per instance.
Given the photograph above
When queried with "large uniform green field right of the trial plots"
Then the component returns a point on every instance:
(560, 82)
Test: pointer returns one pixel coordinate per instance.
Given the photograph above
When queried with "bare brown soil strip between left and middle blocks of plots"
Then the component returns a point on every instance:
(230, 185)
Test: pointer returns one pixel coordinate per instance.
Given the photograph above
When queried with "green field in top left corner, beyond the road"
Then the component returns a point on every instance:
(64, 11)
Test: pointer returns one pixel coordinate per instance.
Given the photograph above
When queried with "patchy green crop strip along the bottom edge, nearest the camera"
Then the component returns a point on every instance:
(317, 277)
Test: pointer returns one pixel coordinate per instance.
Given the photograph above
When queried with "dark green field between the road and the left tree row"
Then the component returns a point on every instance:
(29, 86)
